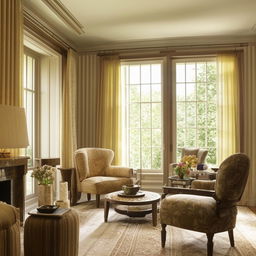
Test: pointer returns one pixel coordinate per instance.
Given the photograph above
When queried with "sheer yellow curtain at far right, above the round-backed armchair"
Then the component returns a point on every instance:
(228, 107)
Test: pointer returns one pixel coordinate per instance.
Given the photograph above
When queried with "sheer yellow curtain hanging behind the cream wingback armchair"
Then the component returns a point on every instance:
(109, 111)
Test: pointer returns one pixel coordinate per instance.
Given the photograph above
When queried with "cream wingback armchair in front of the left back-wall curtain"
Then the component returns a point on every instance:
(96, 175)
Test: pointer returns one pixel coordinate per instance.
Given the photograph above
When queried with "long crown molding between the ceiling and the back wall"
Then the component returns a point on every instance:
(171, 42)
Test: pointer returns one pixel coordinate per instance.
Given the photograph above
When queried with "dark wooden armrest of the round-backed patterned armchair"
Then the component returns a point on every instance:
(176, 190)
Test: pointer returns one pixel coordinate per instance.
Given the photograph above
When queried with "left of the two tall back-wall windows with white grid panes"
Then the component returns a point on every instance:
(142, 86)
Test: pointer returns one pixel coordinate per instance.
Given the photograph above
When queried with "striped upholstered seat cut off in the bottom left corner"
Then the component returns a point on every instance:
(9, 230)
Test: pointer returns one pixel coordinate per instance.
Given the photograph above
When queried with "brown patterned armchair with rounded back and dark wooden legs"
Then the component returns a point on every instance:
(215, 211)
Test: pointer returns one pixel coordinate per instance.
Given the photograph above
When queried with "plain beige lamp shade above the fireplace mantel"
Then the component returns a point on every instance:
(13, 127)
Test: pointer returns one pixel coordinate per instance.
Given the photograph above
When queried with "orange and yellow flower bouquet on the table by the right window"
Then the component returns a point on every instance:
(186, 163)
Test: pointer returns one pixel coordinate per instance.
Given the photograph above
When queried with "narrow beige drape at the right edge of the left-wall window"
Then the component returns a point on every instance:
(68, 129)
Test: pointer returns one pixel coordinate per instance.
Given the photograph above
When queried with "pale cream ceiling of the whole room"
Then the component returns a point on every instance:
(107, 23)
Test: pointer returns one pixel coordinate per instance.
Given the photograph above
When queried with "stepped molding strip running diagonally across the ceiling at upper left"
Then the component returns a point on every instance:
(58, 8)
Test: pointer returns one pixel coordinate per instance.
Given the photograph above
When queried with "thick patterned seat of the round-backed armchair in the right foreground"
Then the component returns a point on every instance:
(198, 213)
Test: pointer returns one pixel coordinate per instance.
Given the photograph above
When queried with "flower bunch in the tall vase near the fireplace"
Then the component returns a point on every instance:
(44, 174)
